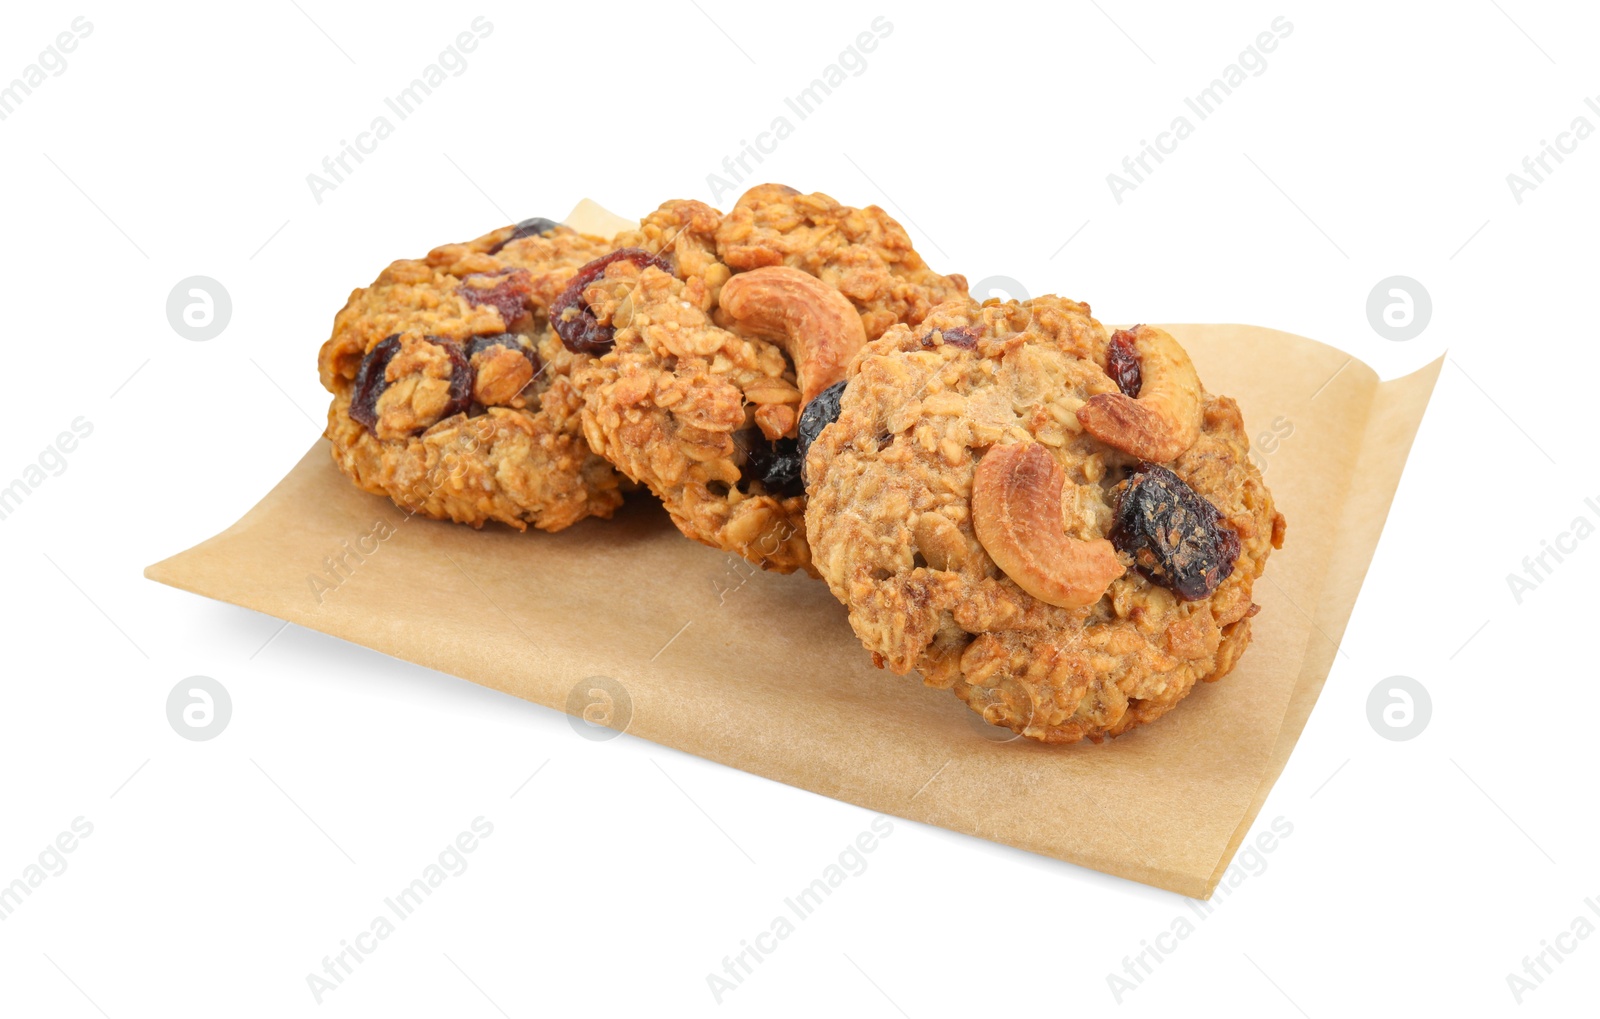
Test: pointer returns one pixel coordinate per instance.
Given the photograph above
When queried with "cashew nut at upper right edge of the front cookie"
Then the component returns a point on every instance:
(1166, 418)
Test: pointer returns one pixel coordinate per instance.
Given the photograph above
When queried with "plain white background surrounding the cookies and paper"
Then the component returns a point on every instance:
(175, 143)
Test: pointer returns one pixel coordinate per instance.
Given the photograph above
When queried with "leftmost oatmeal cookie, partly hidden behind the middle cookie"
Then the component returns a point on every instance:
(454, 398)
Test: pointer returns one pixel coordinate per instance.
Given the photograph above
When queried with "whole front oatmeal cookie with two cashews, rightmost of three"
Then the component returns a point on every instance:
(1060, 525)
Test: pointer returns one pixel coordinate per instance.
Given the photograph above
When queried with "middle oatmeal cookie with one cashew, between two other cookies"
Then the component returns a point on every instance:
(710, 338)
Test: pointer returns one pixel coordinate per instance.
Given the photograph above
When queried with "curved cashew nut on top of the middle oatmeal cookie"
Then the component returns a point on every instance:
(815, 324)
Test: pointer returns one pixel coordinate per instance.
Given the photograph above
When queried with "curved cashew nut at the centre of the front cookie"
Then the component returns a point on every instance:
(1017, 516)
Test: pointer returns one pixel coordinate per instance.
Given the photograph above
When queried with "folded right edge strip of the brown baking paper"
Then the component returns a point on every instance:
(1334, 620)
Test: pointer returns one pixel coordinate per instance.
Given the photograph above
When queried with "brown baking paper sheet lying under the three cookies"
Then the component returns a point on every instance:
(762, 673)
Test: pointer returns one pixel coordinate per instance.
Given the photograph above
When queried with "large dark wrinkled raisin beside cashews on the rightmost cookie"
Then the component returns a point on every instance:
(1175, 537)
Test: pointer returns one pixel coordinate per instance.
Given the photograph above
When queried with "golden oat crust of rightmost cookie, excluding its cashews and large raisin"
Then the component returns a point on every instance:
(892, 530)
